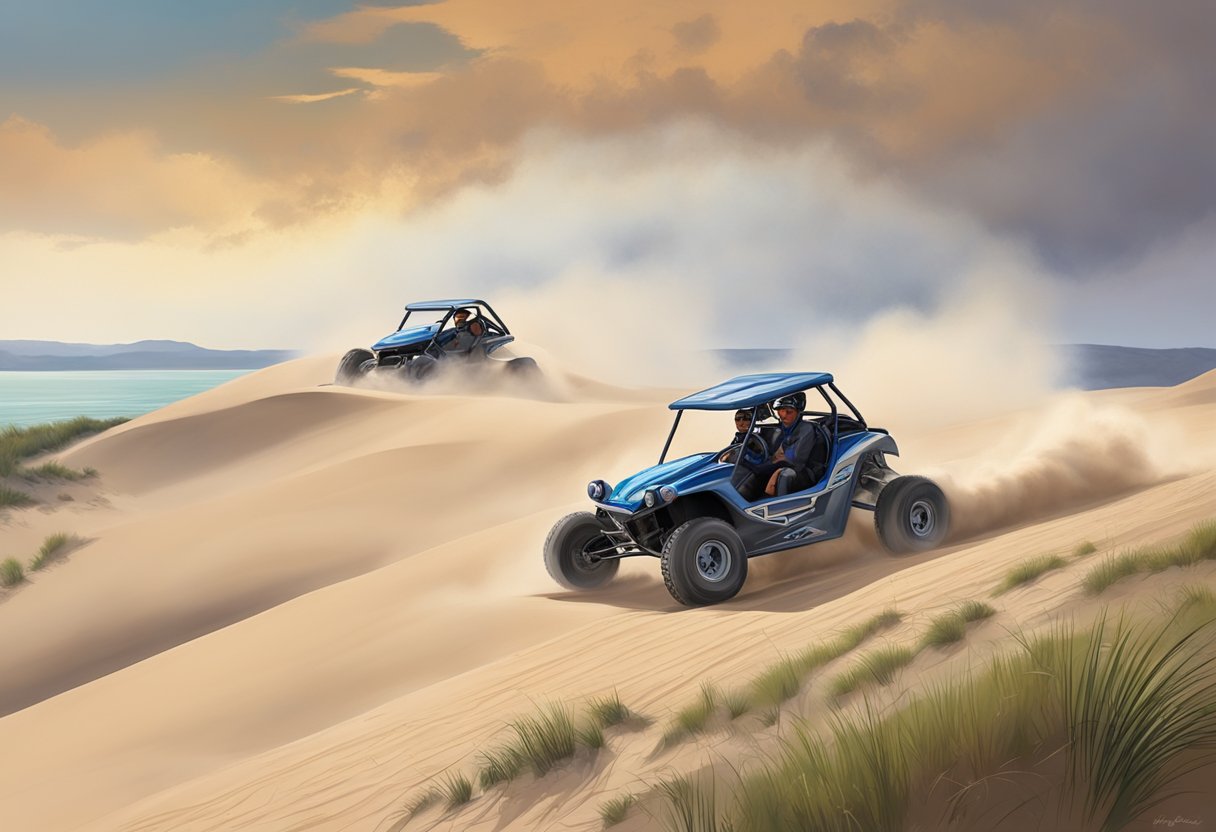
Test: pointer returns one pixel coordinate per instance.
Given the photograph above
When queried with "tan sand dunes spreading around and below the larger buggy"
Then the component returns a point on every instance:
(305, 601)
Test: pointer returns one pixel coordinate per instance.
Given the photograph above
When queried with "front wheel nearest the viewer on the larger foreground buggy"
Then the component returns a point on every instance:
(705, 563)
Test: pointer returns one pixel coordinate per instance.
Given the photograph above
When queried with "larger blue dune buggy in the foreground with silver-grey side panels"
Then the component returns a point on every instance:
(691, 514)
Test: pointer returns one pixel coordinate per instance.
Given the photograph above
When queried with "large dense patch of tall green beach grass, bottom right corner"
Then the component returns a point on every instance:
(1124, 709)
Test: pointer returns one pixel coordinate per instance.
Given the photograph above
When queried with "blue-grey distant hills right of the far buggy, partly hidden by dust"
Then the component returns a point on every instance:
(1088, 367)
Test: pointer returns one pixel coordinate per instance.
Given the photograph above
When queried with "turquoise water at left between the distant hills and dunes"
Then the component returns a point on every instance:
(30, 398)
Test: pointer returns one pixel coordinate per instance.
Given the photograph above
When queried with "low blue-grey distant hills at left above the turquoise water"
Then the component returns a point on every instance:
(138, 356)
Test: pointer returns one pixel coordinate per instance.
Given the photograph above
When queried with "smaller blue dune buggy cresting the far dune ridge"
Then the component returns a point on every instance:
(415, 353)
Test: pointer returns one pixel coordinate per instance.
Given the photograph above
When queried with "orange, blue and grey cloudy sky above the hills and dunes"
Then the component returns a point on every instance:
(705, 173)
